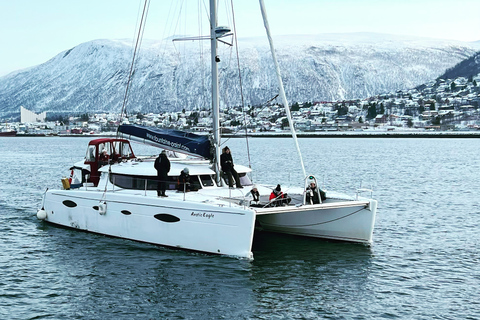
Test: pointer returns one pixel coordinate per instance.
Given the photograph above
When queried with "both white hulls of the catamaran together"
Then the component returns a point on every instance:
(204, 227)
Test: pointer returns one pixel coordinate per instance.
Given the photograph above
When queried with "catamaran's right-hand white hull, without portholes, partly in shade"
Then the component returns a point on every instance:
(351, 221)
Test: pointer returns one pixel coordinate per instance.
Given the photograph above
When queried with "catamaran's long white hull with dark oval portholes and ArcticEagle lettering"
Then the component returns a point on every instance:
(181, 224)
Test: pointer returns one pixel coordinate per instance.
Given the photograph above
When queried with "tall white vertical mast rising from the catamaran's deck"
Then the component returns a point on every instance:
(215, 97)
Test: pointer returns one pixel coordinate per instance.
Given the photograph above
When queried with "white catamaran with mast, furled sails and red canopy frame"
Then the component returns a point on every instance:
(117, 196)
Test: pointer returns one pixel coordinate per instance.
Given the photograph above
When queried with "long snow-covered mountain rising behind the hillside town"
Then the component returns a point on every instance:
(92, 76)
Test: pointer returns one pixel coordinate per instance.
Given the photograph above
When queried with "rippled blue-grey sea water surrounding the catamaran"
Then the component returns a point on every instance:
(424, 262)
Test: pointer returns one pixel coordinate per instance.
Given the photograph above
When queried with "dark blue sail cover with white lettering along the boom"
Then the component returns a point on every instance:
(175, 140)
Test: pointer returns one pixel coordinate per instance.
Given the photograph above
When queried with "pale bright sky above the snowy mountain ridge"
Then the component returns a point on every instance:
(33, 31)
